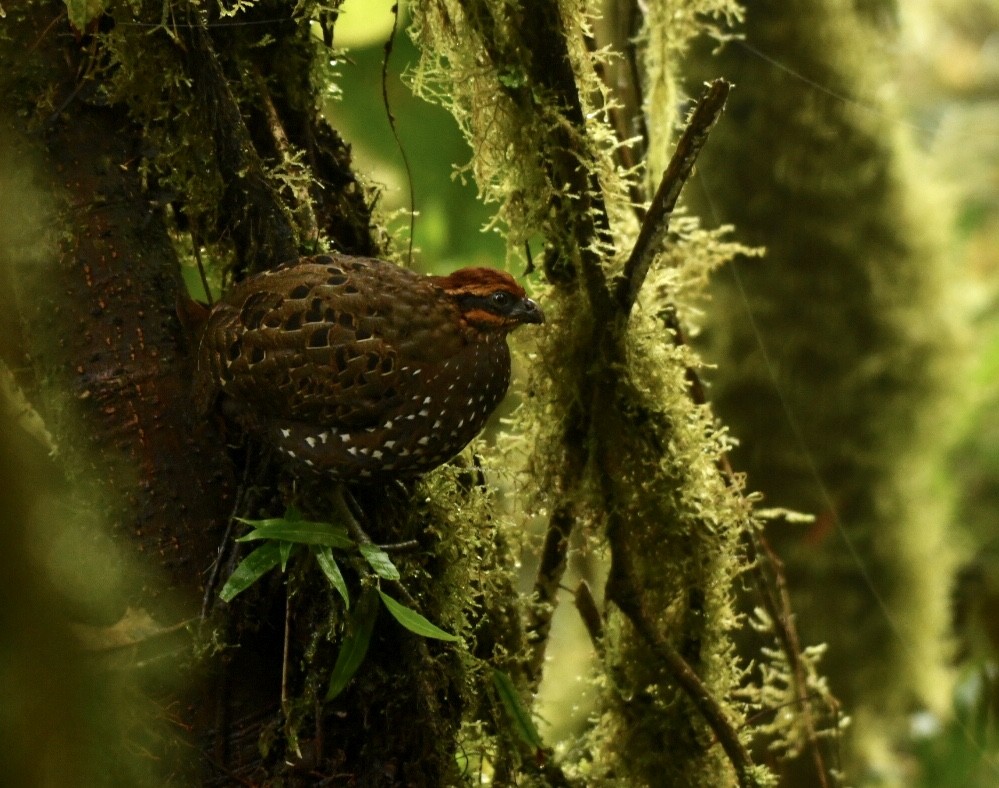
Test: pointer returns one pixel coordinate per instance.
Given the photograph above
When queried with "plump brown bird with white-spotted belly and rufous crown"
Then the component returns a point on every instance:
(356, 367)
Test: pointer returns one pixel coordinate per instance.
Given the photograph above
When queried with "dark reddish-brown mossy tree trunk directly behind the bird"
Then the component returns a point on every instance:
(140, 129)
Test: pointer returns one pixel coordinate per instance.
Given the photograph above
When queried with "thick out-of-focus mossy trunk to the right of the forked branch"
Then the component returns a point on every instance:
(834, 348)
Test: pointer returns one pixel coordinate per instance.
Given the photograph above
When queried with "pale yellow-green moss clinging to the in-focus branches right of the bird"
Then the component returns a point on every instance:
(610, 429)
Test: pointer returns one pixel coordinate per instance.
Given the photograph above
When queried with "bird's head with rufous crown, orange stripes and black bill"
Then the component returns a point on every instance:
(490, 300)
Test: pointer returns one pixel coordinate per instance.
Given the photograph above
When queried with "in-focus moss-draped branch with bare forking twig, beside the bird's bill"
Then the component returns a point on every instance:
(619, 442)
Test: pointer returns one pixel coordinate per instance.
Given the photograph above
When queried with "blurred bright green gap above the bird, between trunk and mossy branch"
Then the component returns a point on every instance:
(448, 228)
